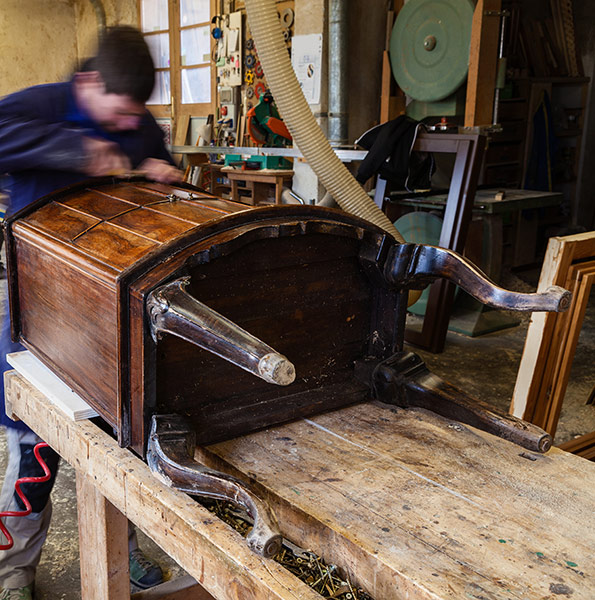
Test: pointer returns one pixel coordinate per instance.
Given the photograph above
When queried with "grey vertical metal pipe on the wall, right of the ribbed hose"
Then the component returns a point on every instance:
(337, 73)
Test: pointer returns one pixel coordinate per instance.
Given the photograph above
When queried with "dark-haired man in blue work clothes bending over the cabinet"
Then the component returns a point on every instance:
(52, 136)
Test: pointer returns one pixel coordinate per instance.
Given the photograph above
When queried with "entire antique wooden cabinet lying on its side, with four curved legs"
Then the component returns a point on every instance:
(186, 319)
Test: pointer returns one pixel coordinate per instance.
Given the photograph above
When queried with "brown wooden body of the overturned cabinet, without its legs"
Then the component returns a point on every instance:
(83, 261)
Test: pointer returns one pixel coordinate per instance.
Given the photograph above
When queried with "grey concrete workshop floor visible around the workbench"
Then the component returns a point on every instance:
(485, 366)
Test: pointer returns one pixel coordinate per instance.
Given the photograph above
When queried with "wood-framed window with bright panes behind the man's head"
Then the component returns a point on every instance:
(178, 34)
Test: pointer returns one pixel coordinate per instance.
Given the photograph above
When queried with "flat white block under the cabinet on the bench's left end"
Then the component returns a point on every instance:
(49, 384)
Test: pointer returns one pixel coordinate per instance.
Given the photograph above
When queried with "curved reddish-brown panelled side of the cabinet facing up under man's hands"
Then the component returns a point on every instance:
(119, 223)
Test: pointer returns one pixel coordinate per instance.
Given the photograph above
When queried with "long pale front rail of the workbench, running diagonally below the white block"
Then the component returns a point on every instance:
(208, 549)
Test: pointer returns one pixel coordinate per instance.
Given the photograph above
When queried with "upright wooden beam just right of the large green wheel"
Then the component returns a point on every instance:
(483, 64)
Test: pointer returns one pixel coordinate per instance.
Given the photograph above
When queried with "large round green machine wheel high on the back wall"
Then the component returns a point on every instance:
(429, 47)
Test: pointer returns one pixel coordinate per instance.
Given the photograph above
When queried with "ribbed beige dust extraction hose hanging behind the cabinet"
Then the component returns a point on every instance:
(332, 173)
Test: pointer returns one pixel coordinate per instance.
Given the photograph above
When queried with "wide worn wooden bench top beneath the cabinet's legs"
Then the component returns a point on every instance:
(416, 506)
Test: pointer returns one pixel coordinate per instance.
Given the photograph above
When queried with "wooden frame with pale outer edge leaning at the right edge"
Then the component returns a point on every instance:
(552, 338)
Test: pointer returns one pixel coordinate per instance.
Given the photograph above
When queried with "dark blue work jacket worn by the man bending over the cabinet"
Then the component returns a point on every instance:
(41, 150)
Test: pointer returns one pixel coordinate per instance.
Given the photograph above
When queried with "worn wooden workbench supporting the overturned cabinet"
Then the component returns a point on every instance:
(409, 504)
